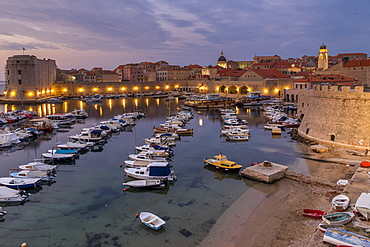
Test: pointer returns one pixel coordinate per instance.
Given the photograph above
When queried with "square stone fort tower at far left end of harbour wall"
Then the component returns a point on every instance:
(28, 77)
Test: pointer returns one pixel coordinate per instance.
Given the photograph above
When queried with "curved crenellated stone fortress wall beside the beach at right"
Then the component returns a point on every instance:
(335, 117)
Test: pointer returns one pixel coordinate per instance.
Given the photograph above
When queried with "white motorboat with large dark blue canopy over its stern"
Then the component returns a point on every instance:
(155, 170)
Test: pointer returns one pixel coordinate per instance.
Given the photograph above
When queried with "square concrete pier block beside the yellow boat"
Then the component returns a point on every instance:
(267, 172)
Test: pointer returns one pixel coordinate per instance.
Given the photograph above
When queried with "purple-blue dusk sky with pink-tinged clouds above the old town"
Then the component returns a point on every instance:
(96, 33)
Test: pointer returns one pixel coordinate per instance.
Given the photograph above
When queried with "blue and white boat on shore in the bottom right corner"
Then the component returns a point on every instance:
(345, 238)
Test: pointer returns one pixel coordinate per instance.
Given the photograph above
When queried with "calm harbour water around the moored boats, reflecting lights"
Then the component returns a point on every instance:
(87, 206)
